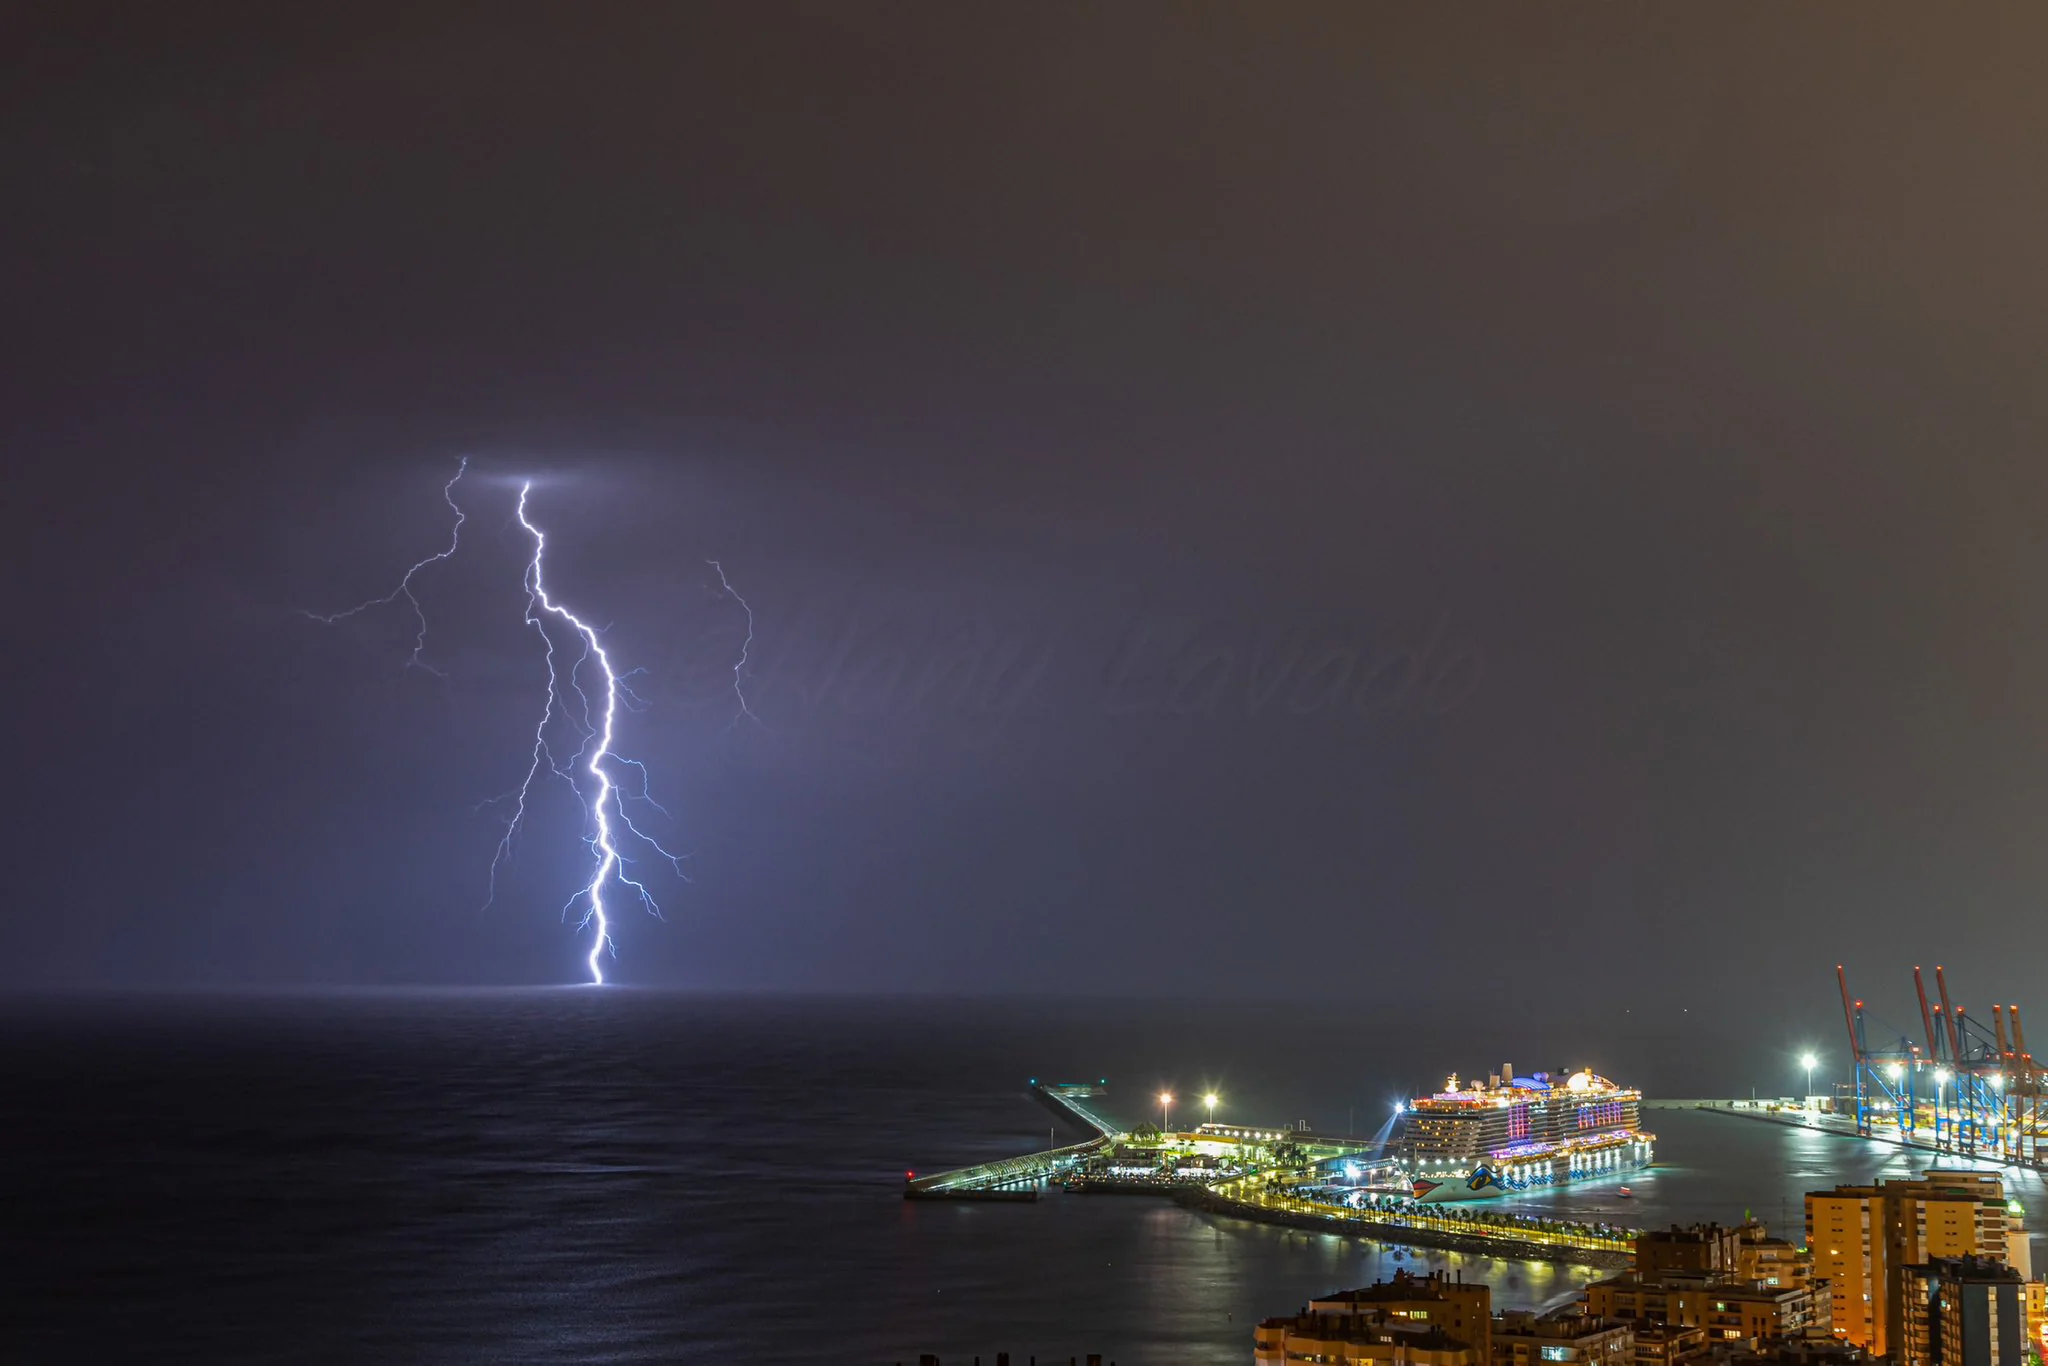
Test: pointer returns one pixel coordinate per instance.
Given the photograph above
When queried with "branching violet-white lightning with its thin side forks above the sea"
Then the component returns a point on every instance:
(593, 722)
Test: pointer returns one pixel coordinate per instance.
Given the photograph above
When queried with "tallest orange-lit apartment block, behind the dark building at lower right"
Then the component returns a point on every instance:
(1863, 1236)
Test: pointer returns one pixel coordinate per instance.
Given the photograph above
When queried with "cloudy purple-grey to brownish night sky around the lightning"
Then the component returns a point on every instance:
(1336, 499)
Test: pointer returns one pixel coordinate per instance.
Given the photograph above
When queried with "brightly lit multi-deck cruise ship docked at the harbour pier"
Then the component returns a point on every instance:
(1508, 1136)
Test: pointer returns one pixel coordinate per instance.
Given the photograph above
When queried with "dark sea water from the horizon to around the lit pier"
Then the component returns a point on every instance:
(626, 1177)
